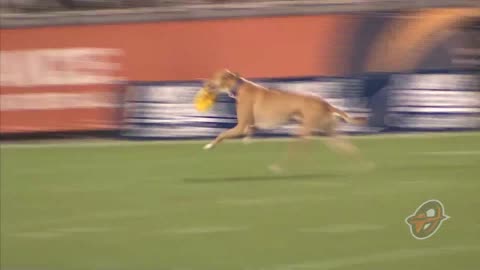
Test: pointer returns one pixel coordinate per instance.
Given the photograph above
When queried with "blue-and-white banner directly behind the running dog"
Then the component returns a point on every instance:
(166, 110)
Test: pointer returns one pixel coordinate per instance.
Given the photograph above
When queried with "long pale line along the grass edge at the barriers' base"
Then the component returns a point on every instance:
(108, 143)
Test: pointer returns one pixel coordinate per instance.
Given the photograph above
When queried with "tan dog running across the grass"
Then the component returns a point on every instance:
(265, 108)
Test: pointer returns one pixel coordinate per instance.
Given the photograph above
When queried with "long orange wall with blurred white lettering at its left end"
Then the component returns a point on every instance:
(163, 51)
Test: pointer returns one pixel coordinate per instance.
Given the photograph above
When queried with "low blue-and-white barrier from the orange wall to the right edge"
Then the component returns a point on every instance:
(393, 103)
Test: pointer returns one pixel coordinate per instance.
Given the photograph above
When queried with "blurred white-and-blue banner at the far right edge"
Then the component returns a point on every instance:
(431, 102)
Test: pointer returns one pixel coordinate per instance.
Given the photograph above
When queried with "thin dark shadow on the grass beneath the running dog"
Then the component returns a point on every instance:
(272, 177)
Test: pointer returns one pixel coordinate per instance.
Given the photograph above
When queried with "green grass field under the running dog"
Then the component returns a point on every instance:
(155, 206)
